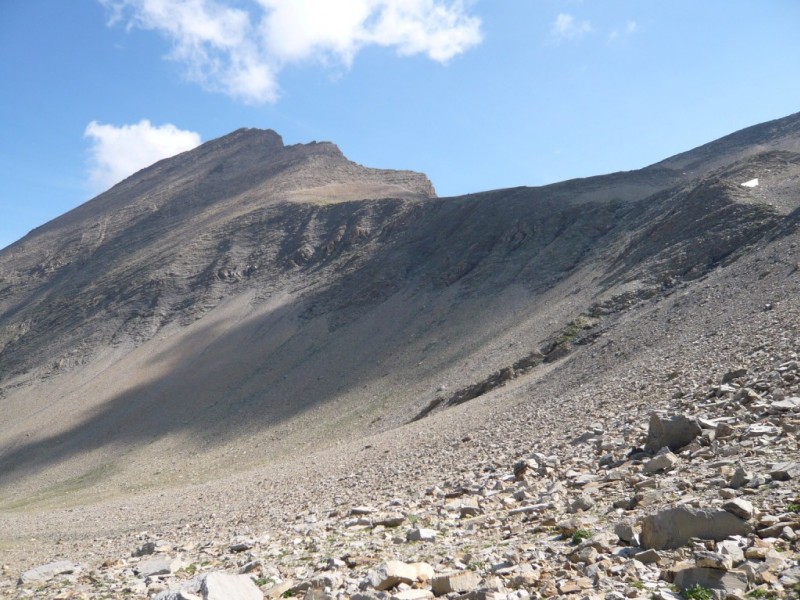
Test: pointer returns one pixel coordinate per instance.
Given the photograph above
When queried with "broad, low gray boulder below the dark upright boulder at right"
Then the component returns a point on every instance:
(673, 527)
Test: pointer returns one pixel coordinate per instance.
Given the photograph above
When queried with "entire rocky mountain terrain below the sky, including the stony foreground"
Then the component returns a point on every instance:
(258, 371)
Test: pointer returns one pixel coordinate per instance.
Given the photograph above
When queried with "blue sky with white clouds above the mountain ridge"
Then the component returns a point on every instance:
(477, 94)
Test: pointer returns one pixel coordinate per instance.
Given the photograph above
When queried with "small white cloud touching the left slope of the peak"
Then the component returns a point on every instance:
(117, 152)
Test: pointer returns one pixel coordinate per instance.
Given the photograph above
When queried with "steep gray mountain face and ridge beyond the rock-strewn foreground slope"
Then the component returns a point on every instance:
(247, 294)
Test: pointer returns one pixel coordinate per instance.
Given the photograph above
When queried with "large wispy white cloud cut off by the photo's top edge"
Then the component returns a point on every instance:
(240, 51)
